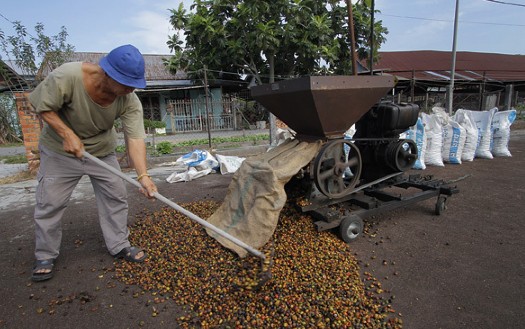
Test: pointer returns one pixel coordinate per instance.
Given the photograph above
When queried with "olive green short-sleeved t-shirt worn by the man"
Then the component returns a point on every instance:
(63, 91)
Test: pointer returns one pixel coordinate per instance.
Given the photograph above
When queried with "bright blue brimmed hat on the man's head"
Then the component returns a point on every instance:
(125, 65)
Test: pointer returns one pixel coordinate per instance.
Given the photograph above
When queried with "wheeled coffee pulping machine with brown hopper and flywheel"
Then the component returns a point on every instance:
(348, 179)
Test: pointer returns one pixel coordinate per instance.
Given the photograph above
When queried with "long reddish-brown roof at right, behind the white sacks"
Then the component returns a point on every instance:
(436, 65)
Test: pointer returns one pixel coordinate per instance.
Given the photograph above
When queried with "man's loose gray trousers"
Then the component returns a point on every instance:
(57, 177)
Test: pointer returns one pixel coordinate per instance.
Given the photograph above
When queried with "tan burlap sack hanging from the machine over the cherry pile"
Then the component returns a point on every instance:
(256, 195)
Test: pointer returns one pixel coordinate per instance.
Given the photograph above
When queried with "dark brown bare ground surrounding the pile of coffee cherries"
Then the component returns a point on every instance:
(463, 269)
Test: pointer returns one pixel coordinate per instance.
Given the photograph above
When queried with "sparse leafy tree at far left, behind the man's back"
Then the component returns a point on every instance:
(29, 53)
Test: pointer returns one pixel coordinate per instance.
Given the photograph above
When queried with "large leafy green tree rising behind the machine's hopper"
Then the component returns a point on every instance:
(266, 38)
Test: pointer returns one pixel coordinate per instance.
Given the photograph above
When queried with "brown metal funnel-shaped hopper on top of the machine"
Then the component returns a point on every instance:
(322, 106)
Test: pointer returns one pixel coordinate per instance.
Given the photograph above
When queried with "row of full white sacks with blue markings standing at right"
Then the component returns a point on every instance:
(462, 137)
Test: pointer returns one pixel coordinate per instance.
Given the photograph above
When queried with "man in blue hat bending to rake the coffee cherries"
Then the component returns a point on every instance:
(79, 103)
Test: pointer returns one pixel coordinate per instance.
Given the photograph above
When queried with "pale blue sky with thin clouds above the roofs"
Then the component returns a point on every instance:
(99, 26)
